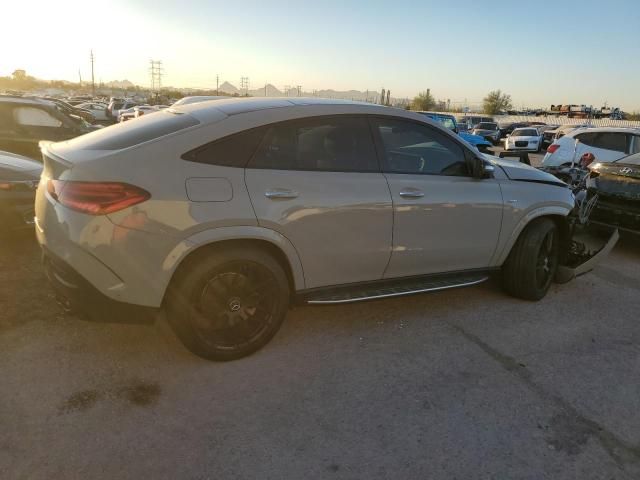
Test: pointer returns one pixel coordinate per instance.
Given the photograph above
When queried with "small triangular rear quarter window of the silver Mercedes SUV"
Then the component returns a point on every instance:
(232, 151)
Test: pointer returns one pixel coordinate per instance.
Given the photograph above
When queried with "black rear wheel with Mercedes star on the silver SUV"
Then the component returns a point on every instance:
(229, 303)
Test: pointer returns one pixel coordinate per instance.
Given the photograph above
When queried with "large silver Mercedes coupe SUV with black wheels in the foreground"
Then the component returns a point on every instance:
(224, 213)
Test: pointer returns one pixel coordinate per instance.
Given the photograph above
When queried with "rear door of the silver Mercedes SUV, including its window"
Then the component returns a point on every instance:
(317, 181)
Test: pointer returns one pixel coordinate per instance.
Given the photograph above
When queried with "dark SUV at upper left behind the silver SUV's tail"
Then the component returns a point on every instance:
(25, 121)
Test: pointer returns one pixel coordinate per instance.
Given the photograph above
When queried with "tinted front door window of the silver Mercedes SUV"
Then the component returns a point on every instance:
(414, 148)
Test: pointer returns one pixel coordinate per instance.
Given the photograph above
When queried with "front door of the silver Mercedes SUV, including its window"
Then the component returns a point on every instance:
(444, 219)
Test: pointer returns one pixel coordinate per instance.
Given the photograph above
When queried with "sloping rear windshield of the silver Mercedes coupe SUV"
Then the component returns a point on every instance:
(134, 132)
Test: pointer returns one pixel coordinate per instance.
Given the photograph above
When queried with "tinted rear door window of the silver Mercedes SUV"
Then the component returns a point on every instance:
(322, 144)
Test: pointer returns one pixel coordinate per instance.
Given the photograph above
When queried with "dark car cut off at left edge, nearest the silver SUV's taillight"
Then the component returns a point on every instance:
(19, 177)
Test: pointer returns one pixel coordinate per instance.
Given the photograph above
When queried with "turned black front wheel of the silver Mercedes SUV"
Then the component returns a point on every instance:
(533, 261)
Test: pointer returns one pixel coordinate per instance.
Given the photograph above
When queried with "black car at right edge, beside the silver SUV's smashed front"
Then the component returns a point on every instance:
(617, 185)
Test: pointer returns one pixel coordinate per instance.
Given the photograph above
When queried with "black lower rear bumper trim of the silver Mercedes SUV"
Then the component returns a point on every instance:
(78, 295)
